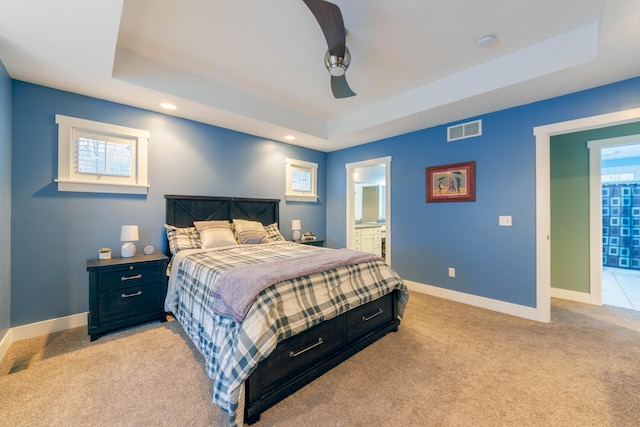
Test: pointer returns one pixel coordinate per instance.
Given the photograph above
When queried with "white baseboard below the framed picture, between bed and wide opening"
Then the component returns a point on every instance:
(530, 313)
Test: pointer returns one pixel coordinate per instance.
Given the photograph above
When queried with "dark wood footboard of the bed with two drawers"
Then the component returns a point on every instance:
(304, 357)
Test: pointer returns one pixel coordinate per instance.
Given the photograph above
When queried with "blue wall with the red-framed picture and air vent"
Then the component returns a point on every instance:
(427, 238)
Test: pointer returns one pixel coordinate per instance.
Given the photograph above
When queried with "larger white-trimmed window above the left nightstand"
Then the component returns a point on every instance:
(102, 158)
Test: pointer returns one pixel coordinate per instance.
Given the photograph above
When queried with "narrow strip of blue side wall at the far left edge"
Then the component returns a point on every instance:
(5, 201)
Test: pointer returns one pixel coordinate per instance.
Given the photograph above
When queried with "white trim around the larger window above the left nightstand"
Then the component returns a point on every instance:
(67, 178)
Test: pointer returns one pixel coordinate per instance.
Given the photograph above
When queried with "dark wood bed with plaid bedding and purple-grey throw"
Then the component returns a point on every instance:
(314, 315)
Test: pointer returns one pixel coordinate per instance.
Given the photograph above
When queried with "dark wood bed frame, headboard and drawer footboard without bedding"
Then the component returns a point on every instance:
(304, 357)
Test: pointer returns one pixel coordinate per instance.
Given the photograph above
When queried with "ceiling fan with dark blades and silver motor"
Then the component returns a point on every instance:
(337, 58)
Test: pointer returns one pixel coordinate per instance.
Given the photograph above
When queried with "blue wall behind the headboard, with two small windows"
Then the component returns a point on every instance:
(54, 233)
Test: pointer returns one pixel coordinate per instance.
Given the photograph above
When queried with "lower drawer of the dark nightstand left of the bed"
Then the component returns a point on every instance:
(129, 302)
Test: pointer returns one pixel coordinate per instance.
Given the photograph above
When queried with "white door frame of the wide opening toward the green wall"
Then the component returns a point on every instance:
(543, 136)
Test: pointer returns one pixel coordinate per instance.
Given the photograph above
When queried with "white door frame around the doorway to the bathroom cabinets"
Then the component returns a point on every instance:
(351, 189)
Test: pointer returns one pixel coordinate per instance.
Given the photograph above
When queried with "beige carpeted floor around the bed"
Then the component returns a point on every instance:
(449, 365)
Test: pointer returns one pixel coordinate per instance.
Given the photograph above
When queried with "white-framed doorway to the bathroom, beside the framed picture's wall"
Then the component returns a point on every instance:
(369, 206)
